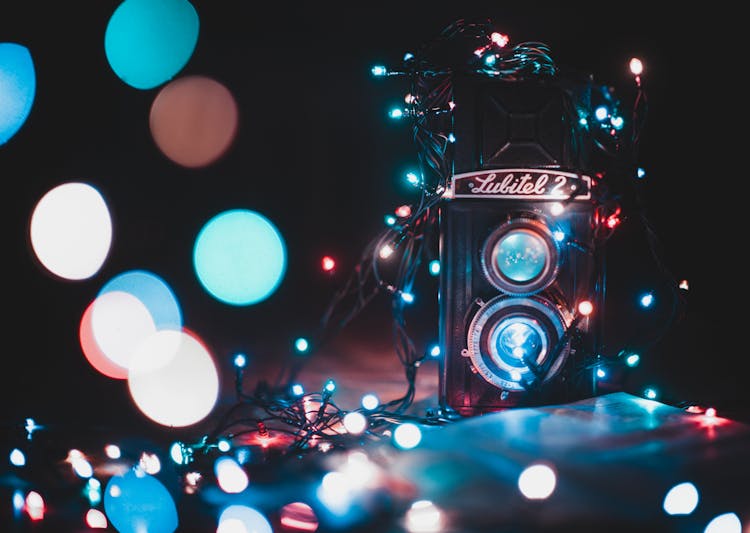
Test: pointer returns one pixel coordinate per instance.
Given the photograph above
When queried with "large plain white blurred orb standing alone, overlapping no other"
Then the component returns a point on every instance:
(71, 231)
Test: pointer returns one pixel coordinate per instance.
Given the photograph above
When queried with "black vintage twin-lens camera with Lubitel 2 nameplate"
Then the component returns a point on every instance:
(517, 246)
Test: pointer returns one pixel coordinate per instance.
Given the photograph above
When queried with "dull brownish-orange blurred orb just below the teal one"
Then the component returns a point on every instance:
(193, 120)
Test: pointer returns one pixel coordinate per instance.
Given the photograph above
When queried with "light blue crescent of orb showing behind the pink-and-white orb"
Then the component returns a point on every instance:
(153, 292)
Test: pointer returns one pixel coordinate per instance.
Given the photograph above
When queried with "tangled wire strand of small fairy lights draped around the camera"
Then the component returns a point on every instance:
(389, 263)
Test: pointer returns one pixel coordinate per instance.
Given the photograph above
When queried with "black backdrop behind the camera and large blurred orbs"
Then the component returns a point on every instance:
(316, 153)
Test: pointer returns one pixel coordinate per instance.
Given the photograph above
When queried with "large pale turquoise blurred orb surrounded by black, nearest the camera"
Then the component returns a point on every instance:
(239, 257)
